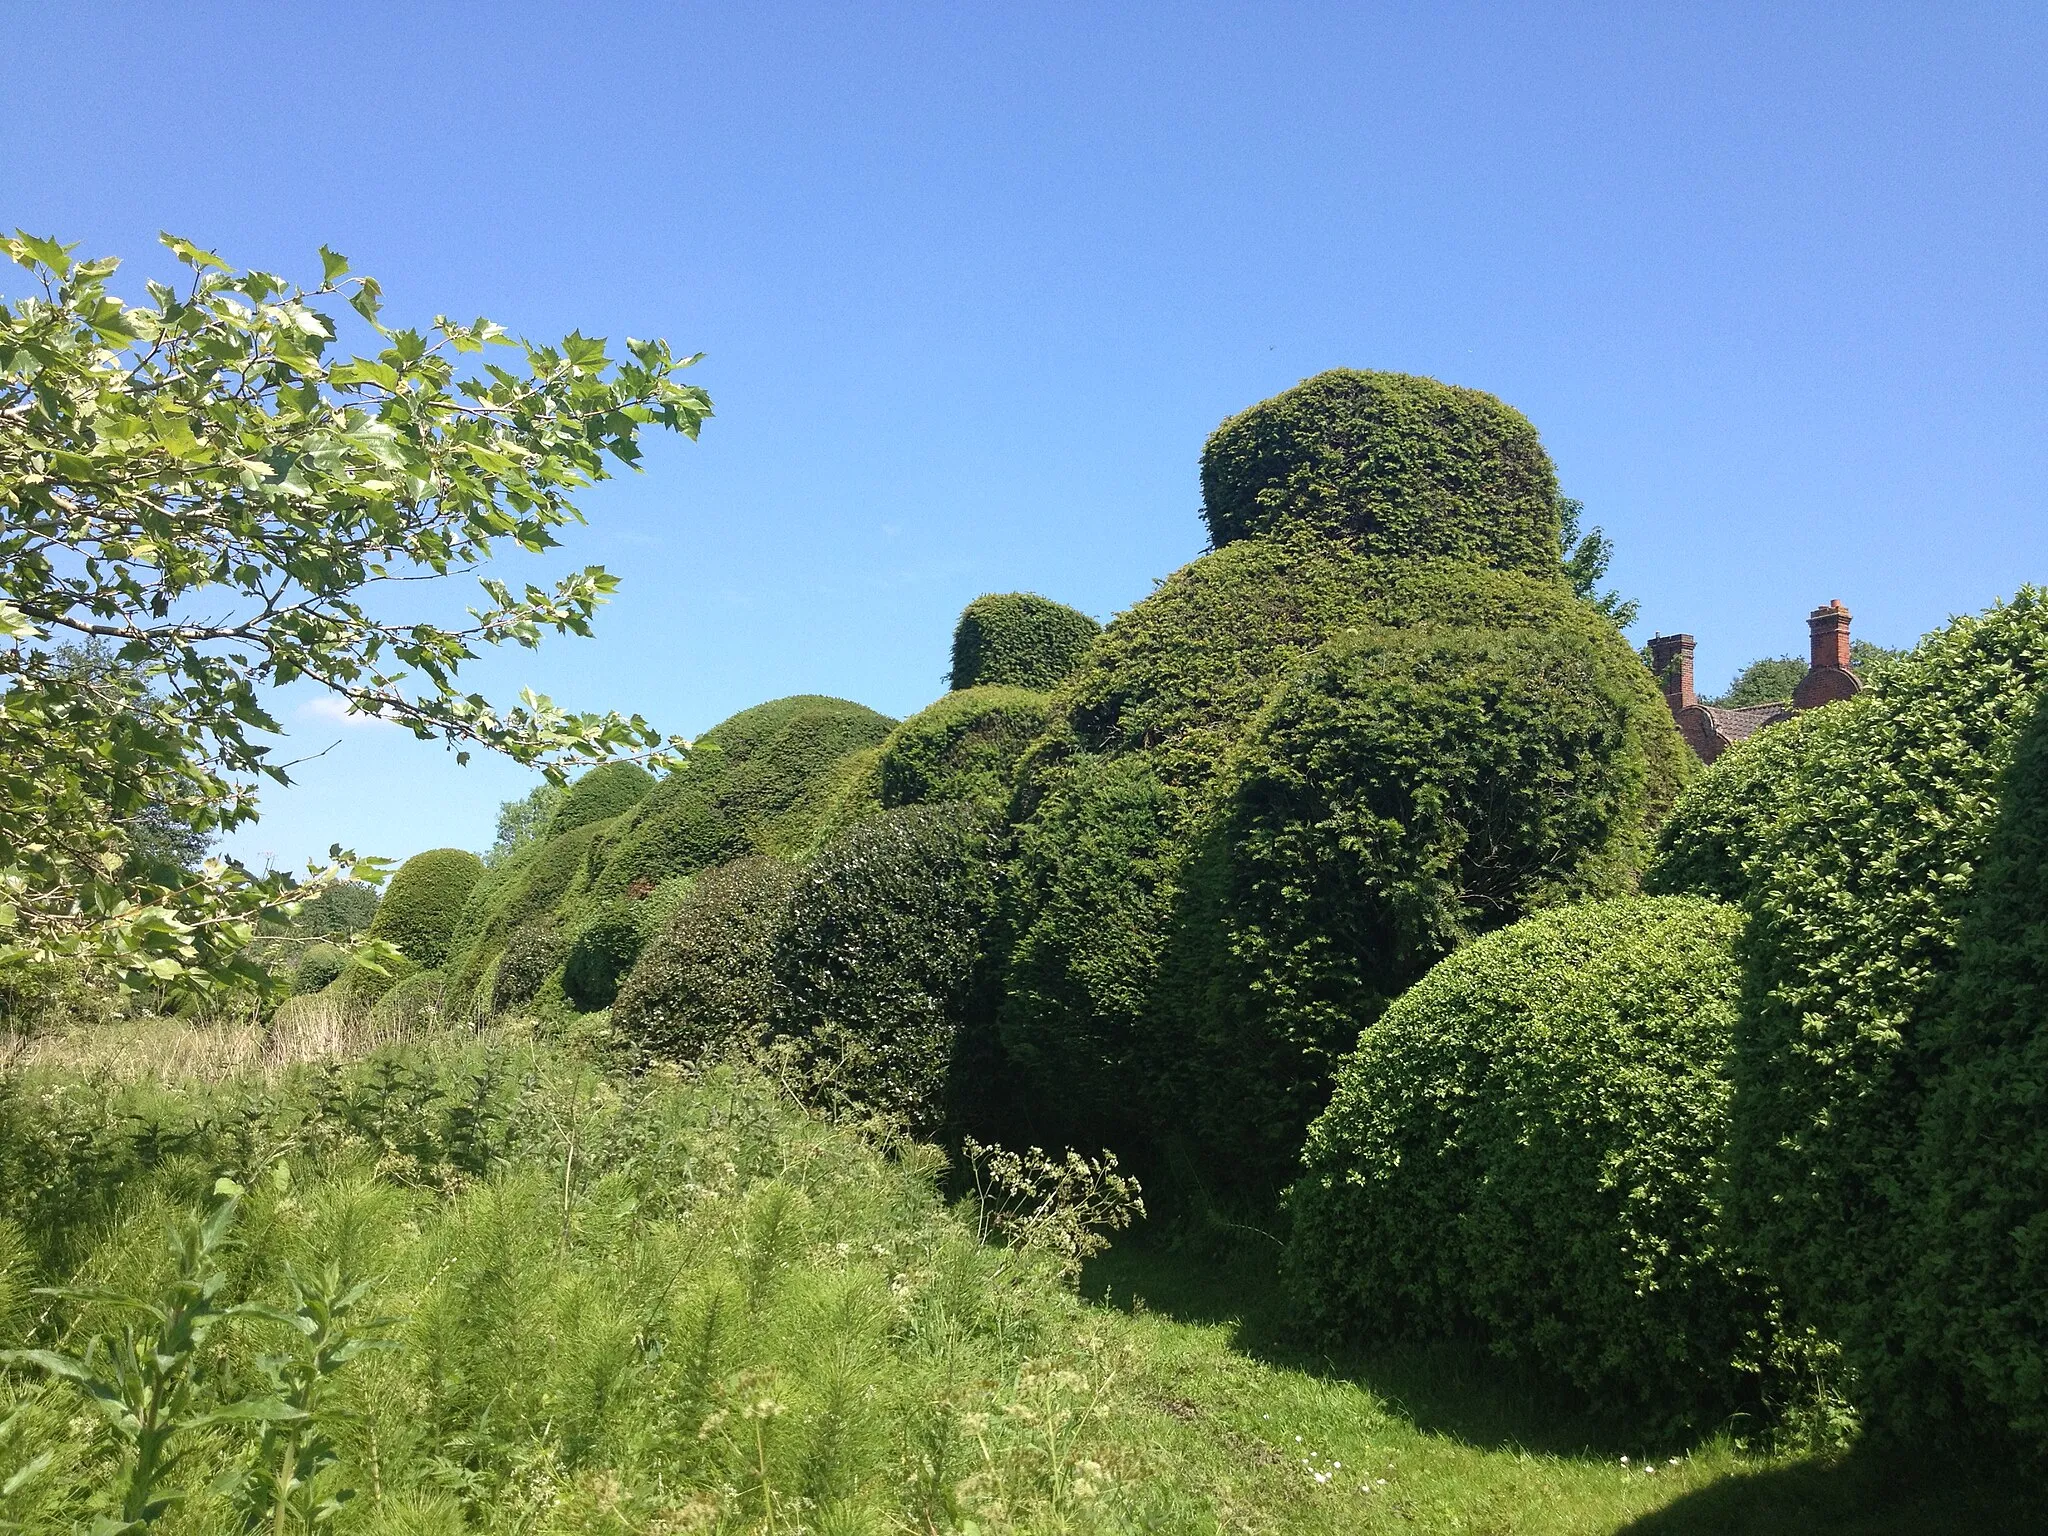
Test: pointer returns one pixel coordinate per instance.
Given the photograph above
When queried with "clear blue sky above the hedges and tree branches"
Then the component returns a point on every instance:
(976, 282)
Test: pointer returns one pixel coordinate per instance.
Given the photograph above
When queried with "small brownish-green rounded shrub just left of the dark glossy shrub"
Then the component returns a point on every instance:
(703, 986)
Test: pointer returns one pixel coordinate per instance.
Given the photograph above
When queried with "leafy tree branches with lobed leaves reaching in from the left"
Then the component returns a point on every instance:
(198, 484)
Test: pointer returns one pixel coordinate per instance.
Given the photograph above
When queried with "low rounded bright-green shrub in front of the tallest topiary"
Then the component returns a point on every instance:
(1529, 1144)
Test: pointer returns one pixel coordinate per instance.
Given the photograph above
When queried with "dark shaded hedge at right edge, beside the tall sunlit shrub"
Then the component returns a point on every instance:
(1979, 1297)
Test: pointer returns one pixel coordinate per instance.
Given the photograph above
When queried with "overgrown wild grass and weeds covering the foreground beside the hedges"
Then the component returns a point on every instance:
(484, 1287)
